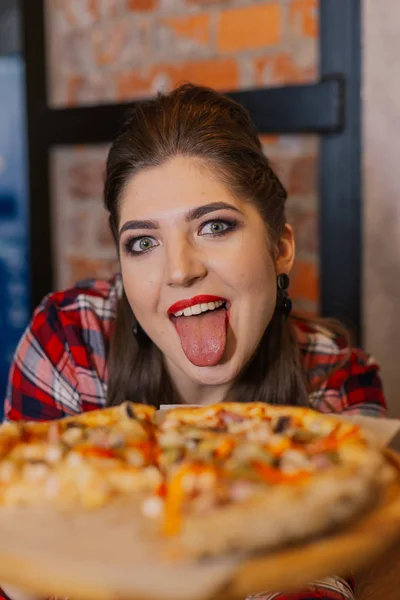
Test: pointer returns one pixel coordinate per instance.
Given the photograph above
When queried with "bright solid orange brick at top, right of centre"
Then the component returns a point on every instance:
(249, 27)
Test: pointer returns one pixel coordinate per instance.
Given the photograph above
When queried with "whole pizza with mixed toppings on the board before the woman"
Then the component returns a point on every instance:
(206, 480)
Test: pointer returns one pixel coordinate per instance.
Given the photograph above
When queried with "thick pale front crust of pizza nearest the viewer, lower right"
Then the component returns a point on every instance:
(286, 514)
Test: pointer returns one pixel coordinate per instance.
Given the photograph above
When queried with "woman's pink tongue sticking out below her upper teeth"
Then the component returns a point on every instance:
(203, 337)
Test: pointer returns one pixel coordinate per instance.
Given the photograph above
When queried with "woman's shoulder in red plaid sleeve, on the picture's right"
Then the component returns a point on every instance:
(342, 378)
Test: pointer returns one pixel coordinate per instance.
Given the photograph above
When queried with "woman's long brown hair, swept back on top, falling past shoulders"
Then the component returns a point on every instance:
(197, 122)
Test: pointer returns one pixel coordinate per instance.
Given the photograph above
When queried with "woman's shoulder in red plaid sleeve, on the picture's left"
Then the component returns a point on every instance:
(60, 364)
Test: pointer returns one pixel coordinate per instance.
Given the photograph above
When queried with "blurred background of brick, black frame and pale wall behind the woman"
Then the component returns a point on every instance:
(60, 59)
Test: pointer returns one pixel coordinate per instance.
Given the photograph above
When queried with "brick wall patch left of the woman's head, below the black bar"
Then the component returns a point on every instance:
(82, 242)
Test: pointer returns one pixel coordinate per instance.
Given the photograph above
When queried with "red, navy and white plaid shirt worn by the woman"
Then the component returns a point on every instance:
(60, 368)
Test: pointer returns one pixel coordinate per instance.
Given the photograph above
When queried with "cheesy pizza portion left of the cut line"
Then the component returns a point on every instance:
(80, 461)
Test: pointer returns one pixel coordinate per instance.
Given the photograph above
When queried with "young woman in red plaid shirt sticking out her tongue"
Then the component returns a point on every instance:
(200, 312)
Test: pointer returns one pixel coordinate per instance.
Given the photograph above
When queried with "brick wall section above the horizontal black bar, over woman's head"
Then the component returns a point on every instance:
(104, 50)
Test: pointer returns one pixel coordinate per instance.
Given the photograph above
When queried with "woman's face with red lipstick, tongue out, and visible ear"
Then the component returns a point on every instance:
(187, 244)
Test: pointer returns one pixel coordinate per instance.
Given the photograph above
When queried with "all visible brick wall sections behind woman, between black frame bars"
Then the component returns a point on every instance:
(112, 50)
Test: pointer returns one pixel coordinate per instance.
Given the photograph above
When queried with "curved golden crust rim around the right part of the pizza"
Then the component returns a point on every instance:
(283, 514)
